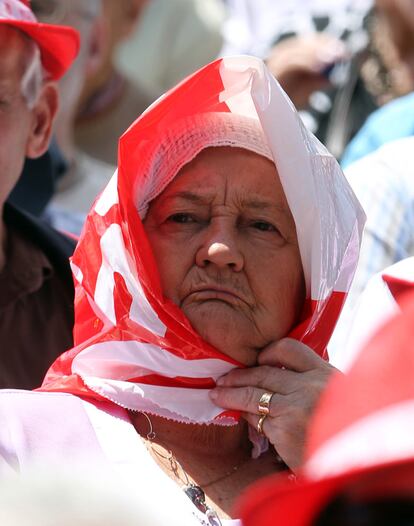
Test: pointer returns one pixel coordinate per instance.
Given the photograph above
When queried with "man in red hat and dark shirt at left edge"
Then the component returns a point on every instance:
(36, 290)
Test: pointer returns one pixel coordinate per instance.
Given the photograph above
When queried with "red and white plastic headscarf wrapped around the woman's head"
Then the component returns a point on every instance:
(134, 346)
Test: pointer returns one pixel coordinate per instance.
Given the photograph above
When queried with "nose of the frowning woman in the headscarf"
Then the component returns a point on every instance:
(220, 248)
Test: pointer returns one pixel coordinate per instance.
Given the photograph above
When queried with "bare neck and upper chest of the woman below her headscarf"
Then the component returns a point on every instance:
(216, 458)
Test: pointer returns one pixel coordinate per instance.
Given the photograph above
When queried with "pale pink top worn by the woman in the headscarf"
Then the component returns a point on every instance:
(51, 428)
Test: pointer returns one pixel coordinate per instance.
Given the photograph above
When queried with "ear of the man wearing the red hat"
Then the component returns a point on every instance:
(43, 114)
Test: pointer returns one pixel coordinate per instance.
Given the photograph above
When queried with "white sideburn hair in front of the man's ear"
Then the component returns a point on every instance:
(33, 75)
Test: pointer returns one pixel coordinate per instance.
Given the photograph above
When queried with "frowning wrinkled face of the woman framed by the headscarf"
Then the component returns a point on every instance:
(225, 243)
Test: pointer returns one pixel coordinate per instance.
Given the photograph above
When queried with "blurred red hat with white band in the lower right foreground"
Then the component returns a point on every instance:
(361, 435)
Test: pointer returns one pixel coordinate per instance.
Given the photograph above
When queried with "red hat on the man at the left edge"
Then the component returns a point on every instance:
(59, 45)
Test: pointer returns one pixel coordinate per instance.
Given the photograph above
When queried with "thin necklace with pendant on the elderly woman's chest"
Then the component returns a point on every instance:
(193, 491)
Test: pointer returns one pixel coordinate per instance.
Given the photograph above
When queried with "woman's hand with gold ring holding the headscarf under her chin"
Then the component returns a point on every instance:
(296, 387)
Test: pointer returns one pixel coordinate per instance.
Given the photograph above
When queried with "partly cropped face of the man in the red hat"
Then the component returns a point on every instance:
(15, 117)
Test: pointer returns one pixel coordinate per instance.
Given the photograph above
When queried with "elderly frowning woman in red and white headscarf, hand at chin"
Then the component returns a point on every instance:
(226, 228)
